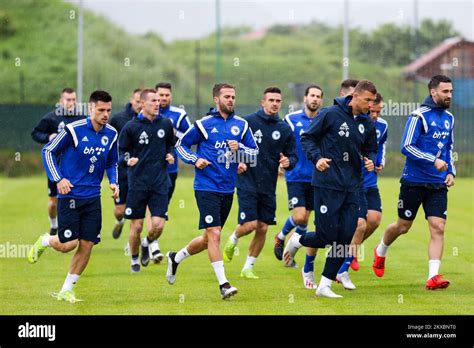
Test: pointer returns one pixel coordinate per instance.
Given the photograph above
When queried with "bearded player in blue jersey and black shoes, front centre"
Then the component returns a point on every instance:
(223, 140)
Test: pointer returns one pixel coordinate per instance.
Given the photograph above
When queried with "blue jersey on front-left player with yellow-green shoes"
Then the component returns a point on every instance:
(85, 155)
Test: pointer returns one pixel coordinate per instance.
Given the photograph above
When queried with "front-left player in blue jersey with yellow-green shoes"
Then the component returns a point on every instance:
(88, 148)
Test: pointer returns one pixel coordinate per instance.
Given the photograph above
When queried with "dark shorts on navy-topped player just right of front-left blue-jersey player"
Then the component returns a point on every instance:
(138, 200)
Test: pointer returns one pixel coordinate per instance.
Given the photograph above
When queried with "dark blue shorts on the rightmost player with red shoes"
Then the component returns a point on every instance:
(434, 200)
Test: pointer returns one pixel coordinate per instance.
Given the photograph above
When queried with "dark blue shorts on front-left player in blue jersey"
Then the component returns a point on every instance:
(79, 219)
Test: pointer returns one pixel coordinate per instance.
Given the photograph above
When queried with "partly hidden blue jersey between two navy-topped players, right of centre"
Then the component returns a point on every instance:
(303, 171)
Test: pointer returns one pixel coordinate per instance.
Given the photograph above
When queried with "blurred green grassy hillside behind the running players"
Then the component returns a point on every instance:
(42, 34)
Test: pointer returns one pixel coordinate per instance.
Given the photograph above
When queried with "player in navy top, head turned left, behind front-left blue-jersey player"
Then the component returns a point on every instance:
(146, 145)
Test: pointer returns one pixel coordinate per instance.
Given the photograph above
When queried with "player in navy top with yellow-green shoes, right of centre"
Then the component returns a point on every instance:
(256, 185)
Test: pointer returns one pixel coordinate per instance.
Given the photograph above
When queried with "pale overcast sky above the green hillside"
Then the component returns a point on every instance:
(183, 19)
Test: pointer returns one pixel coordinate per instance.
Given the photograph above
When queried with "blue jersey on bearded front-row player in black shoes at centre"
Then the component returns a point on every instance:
(211, 134)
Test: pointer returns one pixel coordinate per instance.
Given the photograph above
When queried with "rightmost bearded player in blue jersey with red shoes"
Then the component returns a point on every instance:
(429, 171)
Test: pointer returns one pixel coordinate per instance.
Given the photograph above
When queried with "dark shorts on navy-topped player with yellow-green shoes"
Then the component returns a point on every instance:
(256, 206)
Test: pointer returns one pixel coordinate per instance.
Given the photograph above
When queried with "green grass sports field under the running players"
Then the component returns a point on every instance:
(108, 287)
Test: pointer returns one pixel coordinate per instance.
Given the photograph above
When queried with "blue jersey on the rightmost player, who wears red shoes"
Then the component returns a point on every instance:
(428, 135)
